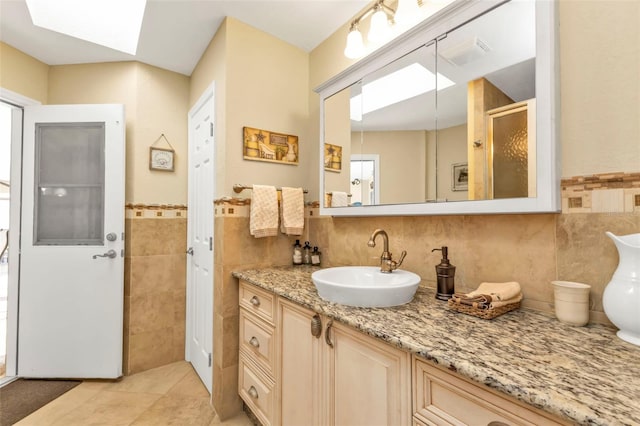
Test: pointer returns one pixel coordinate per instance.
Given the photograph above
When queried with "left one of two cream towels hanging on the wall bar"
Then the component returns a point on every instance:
(263, 219)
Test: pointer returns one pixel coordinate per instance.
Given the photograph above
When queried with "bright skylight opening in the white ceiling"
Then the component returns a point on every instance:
(112, 23)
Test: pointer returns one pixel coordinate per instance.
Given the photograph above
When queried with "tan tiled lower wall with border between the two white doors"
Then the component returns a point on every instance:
(155, 286)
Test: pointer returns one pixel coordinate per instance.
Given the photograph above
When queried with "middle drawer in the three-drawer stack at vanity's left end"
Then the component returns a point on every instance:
(256, 339)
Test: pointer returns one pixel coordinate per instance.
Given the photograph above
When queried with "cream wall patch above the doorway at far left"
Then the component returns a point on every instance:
(23, 74)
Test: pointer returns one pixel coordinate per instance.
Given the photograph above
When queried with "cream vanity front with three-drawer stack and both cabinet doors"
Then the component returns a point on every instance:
(318, 372)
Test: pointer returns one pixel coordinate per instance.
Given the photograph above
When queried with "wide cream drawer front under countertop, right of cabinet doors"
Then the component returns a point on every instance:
(442, 398)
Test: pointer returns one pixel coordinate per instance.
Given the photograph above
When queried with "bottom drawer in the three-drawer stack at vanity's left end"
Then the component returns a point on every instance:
(256, 390)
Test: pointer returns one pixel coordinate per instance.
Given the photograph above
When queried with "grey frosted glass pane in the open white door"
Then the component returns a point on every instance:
(69, 207)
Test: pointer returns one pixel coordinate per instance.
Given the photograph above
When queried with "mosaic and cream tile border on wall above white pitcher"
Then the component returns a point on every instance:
(601, 193)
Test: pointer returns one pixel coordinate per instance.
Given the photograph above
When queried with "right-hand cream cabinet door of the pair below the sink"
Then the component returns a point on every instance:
(369, 380)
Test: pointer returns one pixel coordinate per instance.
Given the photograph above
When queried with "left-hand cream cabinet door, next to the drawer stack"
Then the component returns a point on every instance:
(300, 366)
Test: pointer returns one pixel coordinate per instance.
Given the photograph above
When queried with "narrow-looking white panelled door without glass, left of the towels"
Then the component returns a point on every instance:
(199, 345)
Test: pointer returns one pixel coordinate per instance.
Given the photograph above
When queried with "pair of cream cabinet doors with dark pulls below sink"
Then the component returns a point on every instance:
(333, 375)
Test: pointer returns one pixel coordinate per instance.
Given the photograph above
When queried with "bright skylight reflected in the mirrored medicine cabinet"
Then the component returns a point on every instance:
(406, 83)
